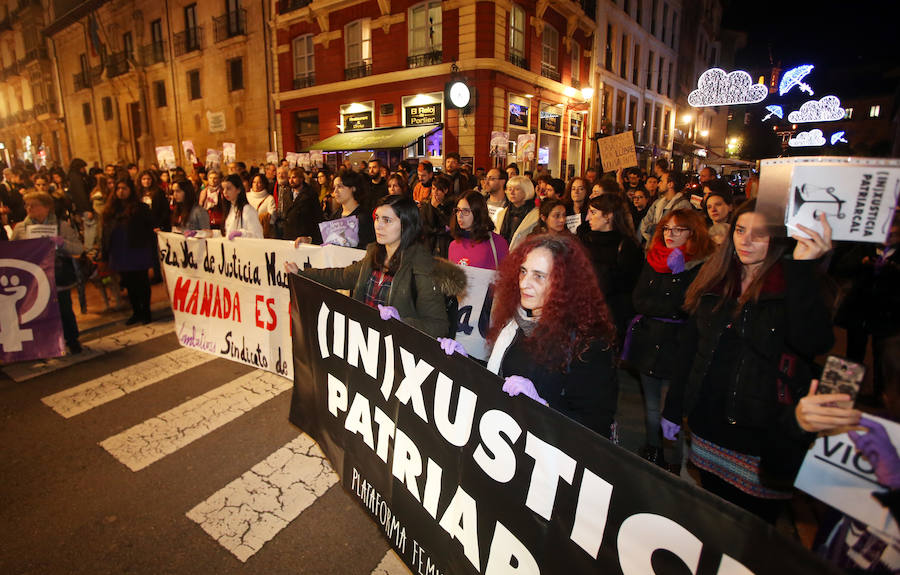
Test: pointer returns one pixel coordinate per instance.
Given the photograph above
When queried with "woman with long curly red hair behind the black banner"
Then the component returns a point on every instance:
(552, 335)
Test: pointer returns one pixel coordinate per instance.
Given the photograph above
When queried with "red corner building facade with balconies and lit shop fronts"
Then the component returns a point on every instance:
(346, 66)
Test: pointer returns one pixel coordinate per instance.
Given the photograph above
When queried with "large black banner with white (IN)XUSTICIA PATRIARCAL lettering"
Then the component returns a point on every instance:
(465, 479)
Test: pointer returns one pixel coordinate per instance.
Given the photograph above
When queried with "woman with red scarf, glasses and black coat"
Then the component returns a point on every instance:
(679, 245)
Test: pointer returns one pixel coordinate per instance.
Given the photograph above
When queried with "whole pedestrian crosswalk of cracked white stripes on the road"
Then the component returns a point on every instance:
(248, 511)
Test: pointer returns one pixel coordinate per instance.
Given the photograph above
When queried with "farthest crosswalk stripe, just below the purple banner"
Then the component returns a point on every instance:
(27, 370)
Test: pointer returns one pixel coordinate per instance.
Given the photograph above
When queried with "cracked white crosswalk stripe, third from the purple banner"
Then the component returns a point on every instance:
(168, 432)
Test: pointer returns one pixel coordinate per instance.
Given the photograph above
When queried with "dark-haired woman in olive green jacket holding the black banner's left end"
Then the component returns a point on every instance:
(396, 274)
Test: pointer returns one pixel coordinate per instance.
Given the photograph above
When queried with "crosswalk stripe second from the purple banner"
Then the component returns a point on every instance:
(81, 398)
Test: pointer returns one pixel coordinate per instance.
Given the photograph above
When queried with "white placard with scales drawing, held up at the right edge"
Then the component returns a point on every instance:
(857, 195)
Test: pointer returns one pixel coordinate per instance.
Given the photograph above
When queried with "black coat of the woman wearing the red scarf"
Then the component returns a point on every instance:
(654, 346)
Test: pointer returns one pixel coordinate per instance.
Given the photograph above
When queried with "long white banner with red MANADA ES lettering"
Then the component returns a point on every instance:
(230, 298)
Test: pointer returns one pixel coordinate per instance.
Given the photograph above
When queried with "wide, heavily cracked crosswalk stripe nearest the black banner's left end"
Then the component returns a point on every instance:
(251, 510)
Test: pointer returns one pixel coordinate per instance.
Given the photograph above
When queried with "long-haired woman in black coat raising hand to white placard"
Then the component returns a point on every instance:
(757, 320)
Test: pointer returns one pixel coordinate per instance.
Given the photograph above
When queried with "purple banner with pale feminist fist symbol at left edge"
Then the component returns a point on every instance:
(30, 326)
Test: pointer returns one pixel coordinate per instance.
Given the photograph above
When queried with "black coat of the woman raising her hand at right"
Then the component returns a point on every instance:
(749, 370)
